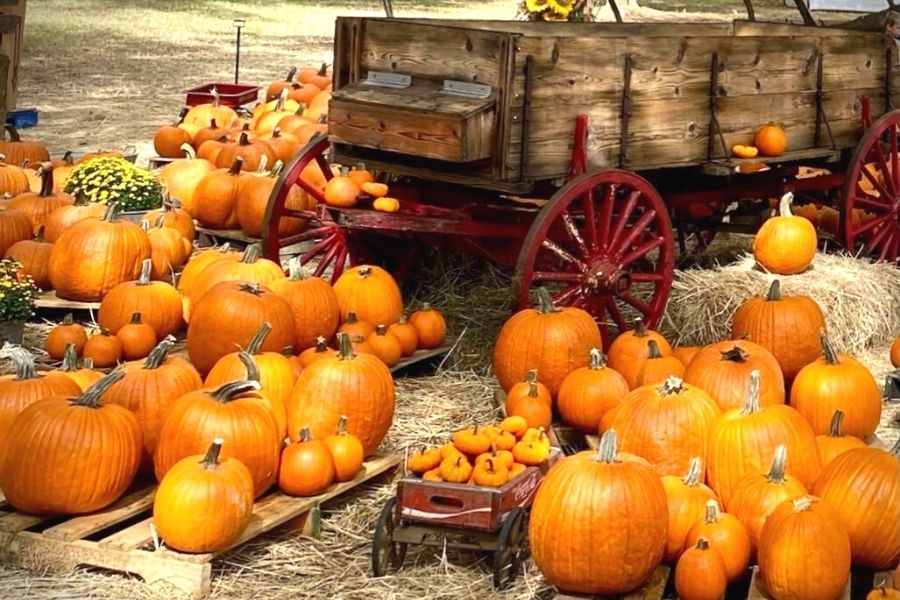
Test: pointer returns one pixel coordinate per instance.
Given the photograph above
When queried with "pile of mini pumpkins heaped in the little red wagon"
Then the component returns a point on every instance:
(487, 456)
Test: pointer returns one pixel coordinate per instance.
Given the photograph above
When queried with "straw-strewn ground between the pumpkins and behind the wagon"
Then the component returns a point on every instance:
(105, 75)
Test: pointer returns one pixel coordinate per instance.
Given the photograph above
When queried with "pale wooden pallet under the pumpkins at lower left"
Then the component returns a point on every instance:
(120, 537)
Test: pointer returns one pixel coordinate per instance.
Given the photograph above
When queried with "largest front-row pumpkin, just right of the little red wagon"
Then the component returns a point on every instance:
(567, 505)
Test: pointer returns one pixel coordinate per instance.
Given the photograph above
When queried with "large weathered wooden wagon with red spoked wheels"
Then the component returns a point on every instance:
(583, 154)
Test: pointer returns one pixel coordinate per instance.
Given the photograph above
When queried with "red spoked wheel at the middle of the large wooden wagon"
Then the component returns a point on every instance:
(603, 243)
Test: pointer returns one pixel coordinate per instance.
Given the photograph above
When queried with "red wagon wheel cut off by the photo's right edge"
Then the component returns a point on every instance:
(871, 216)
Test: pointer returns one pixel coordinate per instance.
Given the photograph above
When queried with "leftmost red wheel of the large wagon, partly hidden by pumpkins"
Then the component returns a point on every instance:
(326, 241)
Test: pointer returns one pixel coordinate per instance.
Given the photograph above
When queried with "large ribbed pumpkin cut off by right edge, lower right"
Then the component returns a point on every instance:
(863, 485)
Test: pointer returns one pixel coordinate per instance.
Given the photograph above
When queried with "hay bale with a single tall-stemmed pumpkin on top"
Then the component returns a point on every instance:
(860, 299)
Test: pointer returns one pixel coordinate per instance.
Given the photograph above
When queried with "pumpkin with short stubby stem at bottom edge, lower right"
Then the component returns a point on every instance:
(795, 525)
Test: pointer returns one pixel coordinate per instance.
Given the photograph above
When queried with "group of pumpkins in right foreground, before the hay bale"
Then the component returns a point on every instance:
(747, 449)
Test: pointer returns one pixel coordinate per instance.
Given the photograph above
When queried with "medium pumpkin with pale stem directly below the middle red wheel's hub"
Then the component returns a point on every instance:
(587, 393)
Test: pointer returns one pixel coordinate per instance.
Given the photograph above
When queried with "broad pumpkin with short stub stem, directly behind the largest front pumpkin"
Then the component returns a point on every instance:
(686, 413)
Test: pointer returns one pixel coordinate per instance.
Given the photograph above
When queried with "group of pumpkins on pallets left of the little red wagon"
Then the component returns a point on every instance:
(258, 370)
